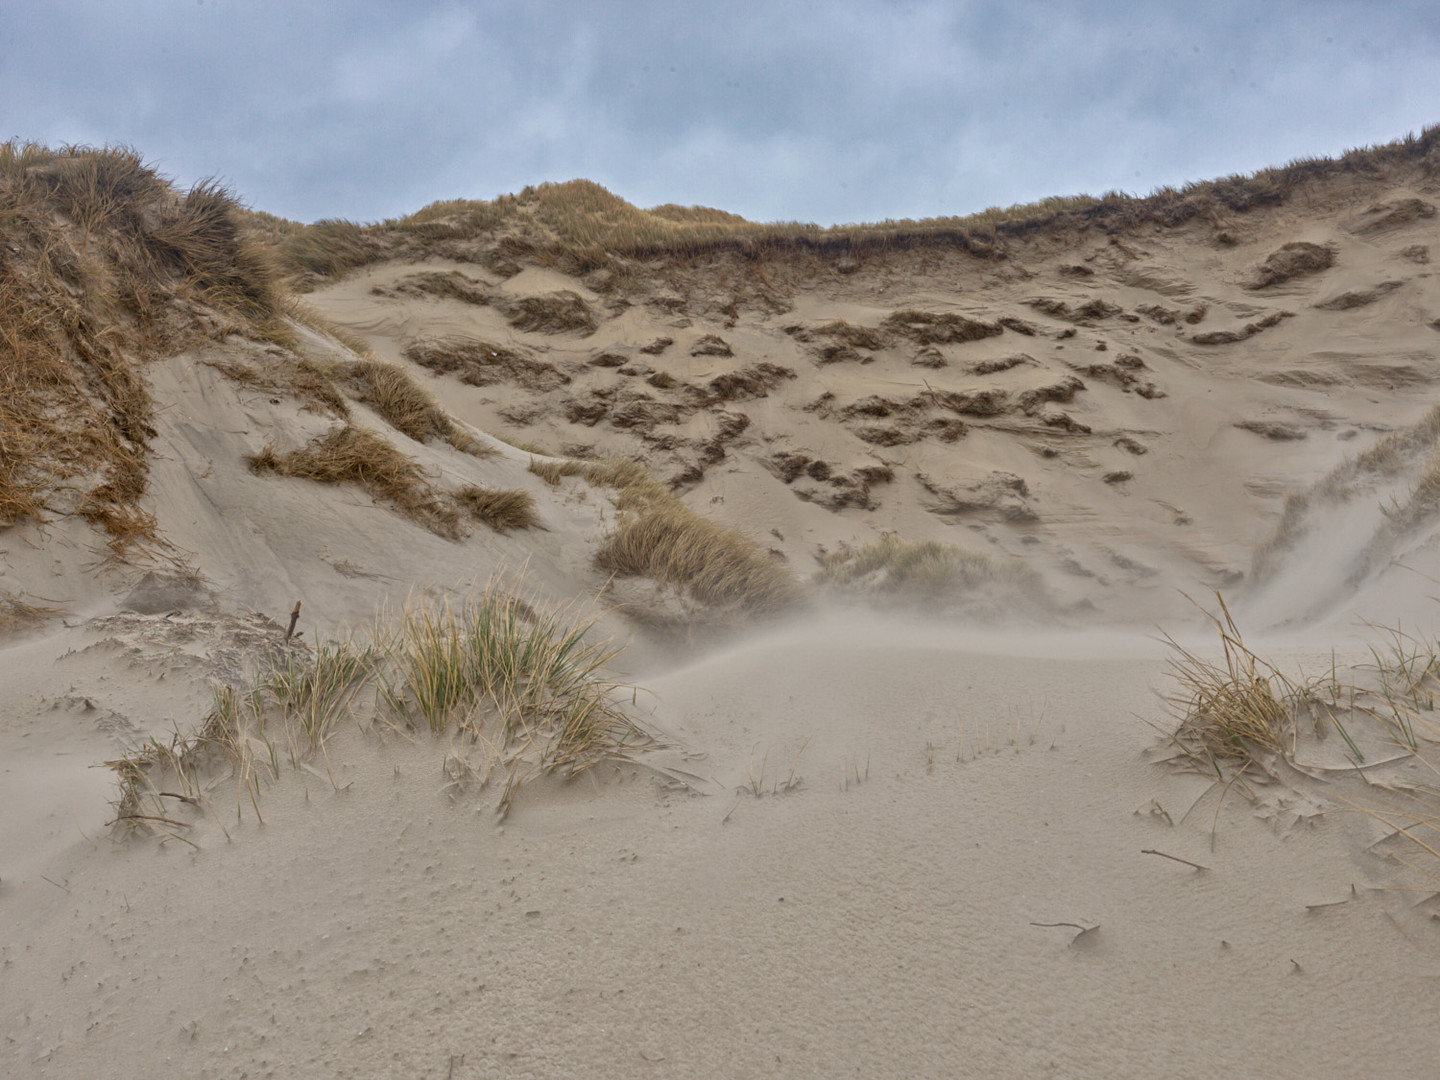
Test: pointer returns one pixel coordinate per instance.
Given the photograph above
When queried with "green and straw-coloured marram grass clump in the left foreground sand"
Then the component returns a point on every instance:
(525, 688)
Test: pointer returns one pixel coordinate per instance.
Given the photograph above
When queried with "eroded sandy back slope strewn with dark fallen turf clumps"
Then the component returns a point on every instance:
(1124, 413)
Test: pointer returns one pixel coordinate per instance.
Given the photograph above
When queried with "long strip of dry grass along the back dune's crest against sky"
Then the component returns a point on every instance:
(581, 228)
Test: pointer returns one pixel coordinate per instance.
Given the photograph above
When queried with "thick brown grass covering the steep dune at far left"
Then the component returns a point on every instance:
(106, 267)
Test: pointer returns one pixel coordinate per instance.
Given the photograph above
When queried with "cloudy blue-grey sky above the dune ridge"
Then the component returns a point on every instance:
(780, 110)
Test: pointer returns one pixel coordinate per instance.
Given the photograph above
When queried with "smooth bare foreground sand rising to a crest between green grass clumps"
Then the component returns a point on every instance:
(878, 917)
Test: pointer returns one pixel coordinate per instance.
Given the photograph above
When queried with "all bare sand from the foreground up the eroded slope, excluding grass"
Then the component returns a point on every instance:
(869, 842)
